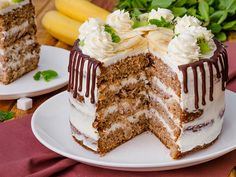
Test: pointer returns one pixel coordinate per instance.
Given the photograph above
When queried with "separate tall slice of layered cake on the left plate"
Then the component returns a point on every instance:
(19, 49)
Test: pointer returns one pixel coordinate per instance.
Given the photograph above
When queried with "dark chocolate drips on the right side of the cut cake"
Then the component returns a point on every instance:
(219, 60)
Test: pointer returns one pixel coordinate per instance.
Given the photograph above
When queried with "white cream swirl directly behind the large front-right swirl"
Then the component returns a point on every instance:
(185, 22)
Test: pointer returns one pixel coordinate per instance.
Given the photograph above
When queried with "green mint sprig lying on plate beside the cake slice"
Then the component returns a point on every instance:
(47, 75)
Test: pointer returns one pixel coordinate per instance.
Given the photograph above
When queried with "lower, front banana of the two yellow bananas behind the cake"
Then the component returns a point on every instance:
(61, 27)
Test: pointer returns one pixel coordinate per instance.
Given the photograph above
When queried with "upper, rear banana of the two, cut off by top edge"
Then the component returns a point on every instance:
(80, 10)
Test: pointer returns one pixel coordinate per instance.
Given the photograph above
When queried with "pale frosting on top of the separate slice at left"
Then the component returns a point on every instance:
(11, 6)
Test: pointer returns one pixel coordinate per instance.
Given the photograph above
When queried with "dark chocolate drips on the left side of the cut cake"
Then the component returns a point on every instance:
(76, 73)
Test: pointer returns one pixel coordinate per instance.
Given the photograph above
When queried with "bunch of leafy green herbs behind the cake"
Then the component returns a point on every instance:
(217, 15)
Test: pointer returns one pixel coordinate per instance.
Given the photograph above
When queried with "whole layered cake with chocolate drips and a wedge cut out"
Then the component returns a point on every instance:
(153, 73)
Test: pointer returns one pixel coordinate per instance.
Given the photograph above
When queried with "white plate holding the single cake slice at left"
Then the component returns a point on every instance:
(50, 58)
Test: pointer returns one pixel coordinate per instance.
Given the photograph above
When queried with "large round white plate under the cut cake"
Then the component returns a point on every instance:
(145, 152)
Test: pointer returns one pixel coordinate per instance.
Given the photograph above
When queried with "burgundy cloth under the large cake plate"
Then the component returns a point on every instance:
(22, 155)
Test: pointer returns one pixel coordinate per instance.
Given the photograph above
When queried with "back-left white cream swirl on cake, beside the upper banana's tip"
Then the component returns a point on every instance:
(120, 21)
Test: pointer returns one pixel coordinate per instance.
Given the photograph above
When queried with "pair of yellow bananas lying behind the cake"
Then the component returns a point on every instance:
(64, 22)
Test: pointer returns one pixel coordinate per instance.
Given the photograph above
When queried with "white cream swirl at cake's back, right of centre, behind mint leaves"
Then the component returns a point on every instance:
(160, 12)
